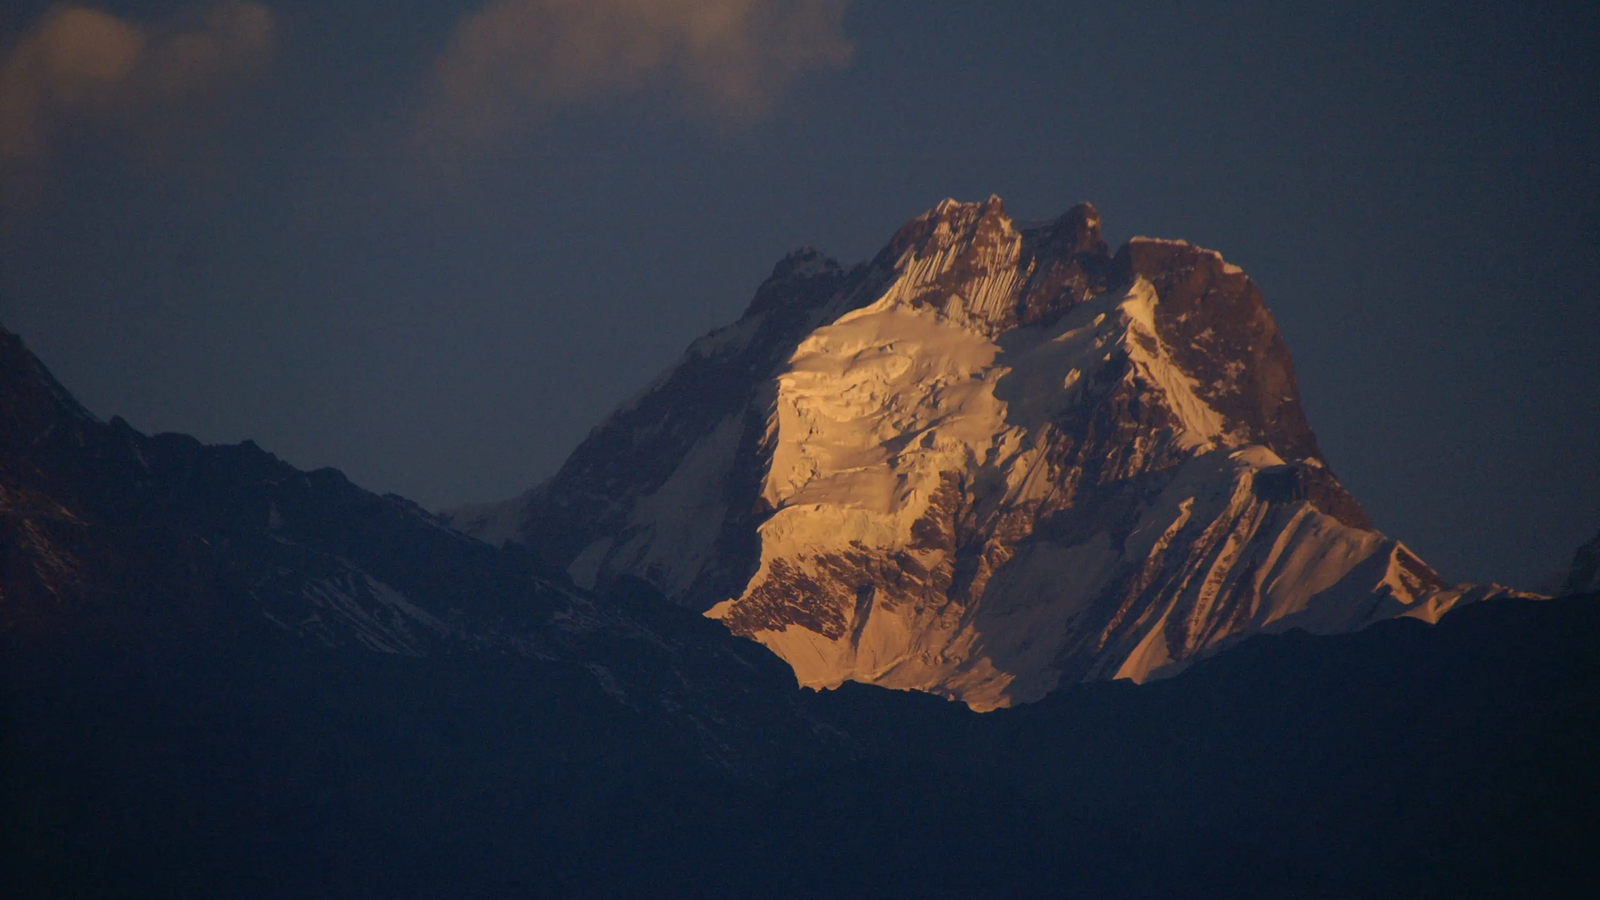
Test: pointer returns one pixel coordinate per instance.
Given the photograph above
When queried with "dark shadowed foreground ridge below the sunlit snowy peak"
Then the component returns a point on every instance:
(223, 677)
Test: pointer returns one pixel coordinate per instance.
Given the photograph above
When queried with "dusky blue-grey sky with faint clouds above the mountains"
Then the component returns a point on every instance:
(434, 246)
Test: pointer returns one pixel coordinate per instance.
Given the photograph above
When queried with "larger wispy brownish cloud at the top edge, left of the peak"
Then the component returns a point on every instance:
(514, 62)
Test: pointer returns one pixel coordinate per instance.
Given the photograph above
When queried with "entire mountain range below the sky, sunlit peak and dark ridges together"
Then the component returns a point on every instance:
(988, 462)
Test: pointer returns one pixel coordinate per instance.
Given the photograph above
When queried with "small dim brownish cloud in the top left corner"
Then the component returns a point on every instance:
(89, 70)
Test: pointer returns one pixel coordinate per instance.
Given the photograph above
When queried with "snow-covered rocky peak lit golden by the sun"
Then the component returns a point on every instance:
(991, 460)
